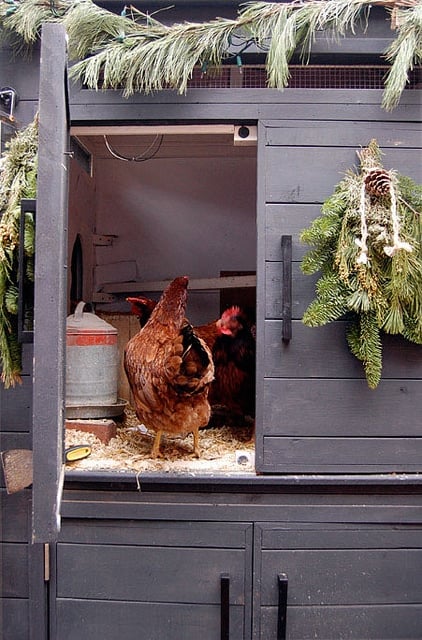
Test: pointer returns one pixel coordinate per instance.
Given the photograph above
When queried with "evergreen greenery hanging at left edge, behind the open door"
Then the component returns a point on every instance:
(18, 175)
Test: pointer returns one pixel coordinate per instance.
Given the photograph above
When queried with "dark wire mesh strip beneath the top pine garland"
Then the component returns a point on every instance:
(301, 77)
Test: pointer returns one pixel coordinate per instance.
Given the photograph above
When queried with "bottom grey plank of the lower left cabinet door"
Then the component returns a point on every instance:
(155, 621)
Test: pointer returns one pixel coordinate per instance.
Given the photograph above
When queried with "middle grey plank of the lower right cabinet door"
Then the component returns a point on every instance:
(344, 576)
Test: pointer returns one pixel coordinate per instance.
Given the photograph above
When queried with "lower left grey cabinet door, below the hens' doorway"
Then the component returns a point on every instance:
(153, 580)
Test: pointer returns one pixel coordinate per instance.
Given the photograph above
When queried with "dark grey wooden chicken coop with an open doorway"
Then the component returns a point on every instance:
(301, 521)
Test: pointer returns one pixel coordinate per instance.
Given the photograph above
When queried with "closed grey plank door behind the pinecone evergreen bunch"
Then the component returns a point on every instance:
(315, 412)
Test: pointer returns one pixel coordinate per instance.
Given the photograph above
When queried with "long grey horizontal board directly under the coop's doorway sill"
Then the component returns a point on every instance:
(406, 493)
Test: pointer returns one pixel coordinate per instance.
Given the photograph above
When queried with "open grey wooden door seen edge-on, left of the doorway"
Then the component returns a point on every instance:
(50, 287)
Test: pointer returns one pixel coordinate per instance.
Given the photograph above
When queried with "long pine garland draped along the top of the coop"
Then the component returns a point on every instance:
(135, 52)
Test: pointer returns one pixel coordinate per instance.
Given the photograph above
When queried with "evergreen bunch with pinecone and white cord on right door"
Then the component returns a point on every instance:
(367, 244)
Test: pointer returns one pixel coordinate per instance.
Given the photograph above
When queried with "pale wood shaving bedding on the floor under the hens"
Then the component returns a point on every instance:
(223, 449)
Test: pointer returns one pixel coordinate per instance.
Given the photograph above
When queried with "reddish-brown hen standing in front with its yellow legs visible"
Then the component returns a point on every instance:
(170, 369)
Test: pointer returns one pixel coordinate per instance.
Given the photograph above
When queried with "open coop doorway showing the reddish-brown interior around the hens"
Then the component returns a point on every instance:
(165, 201)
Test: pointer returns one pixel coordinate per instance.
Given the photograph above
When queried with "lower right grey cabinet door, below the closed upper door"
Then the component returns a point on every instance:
(355, 582)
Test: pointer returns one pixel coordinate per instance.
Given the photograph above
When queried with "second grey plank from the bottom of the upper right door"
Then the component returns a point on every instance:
(320, 416)
